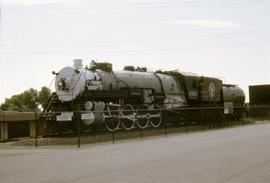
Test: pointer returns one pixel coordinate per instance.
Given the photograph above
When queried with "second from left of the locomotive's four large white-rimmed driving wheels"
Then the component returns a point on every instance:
(128, 117)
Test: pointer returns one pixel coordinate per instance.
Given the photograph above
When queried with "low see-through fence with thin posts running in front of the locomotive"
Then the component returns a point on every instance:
(80, 127)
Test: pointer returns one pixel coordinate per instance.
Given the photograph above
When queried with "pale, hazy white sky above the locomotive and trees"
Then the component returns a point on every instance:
(228, 39)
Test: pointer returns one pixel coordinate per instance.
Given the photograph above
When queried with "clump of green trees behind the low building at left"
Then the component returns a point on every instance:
(29, 100)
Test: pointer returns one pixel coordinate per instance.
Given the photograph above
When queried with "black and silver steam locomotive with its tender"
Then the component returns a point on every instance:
(135, 98)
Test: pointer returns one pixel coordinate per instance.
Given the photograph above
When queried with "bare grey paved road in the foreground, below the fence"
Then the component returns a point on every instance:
(237, 155)
